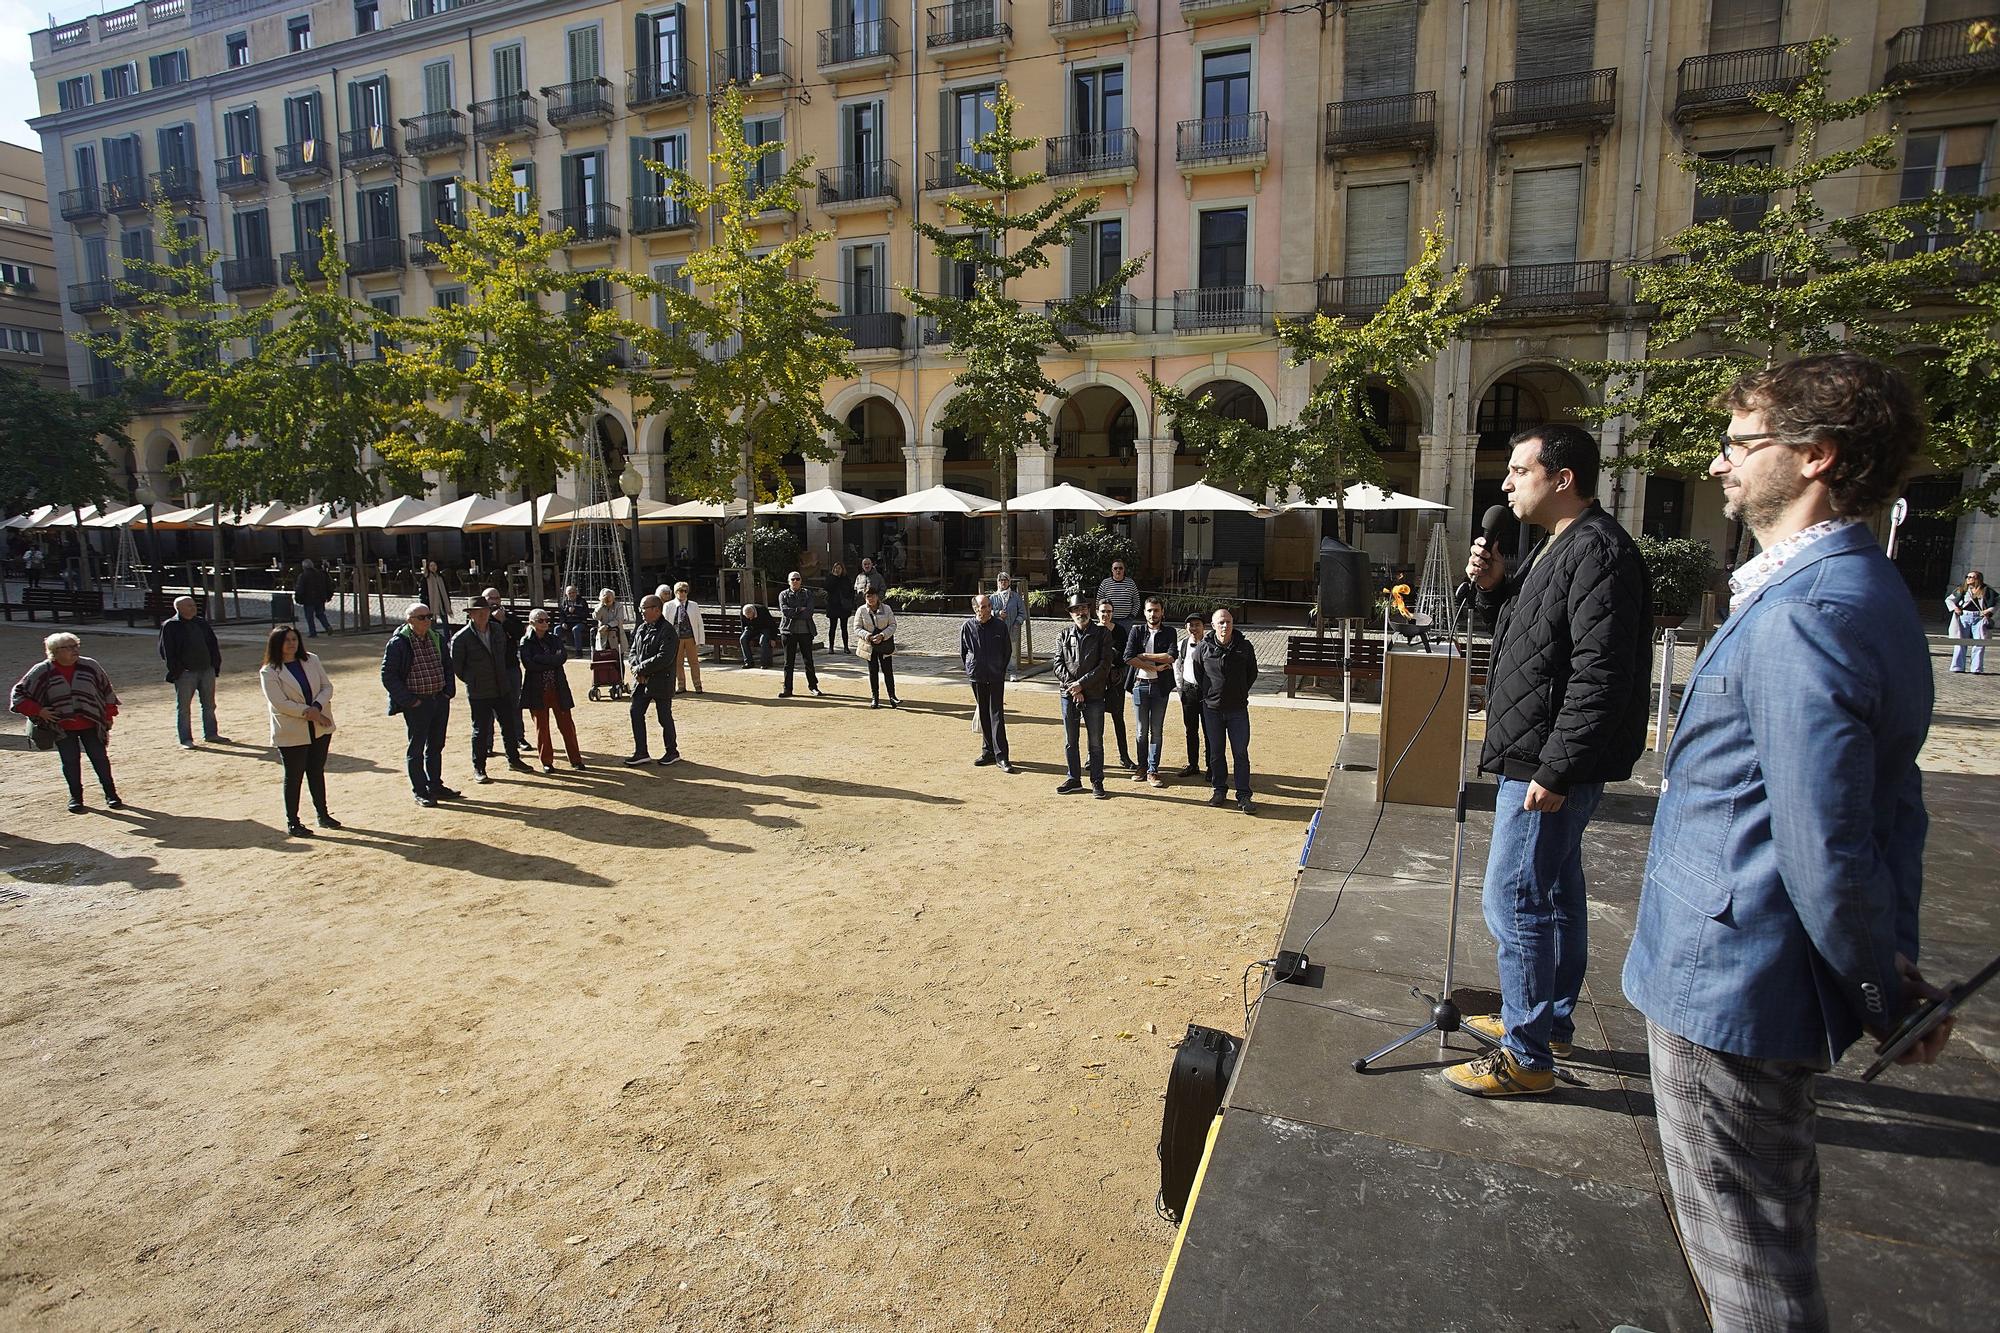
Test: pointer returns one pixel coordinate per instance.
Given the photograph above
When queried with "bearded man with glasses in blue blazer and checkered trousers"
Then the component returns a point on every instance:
(1779, 912)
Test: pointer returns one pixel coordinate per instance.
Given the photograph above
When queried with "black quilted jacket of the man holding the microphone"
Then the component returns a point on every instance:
(1573, 661)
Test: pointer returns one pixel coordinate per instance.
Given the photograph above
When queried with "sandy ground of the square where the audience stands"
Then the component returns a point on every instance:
(821, 1030)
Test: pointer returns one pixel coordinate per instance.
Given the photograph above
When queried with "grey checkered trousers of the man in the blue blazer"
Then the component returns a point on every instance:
(1741, 1158)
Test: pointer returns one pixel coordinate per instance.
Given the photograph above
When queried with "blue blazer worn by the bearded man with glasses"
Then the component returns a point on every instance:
(1789, 850)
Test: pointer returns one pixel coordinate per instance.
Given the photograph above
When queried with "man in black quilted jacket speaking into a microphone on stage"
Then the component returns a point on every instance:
(1565, 716)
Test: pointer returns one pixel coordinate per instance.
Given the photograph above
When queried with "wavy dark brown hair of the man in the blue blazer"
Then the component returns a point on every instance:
(1855, 403)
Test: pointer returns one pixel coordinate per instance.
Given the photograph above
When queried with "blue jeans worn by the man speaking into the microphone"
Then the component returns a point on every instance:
(1539, 918)
